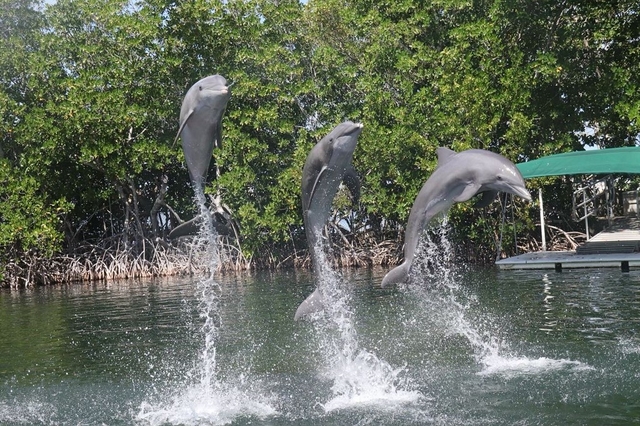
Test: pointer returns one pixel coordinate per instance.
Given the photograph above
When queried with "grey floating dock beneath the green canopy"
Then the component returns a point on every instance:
(618, 246)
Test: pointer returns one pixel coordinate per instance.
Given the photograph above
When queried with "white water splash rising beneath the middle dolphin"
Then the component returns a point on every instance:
(360, 378)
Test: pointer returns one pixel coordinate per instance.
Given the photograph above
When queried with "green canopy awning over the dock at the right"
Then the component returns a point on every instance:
(592, 162)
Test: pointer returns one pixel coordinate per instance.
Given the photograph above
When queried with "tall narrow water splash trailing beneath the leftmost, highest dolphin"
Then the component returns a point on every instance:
(205, 398)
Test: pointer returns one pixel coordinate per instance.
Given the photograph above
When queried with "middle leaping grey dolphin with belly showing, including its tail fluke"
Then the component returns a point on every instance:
(328, 164)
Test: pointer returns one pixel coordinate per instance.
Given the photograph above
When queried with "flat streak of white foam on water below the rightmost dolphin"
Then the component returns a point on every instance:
(496, 364)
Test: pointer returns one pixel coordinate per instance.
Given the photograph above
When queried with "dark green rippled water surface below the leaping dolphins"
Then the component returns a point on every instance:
(489, 347)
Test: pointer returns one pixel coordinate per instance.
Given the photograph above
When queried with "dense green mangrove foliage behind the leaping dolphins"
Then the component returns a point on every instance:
(90, 92)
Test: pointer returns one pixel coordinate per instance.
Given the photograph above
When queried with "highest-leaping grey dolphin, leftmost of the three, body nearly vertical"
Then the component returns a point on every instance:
(201, 124)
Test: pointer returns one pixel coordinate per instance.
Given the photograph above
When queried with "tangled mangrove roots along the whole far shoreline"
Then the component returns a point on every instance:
(114, 261)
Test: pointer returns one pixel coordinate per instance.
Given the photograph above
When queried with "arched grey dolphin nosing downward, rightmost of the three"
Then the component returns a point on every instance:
(458, 177)
